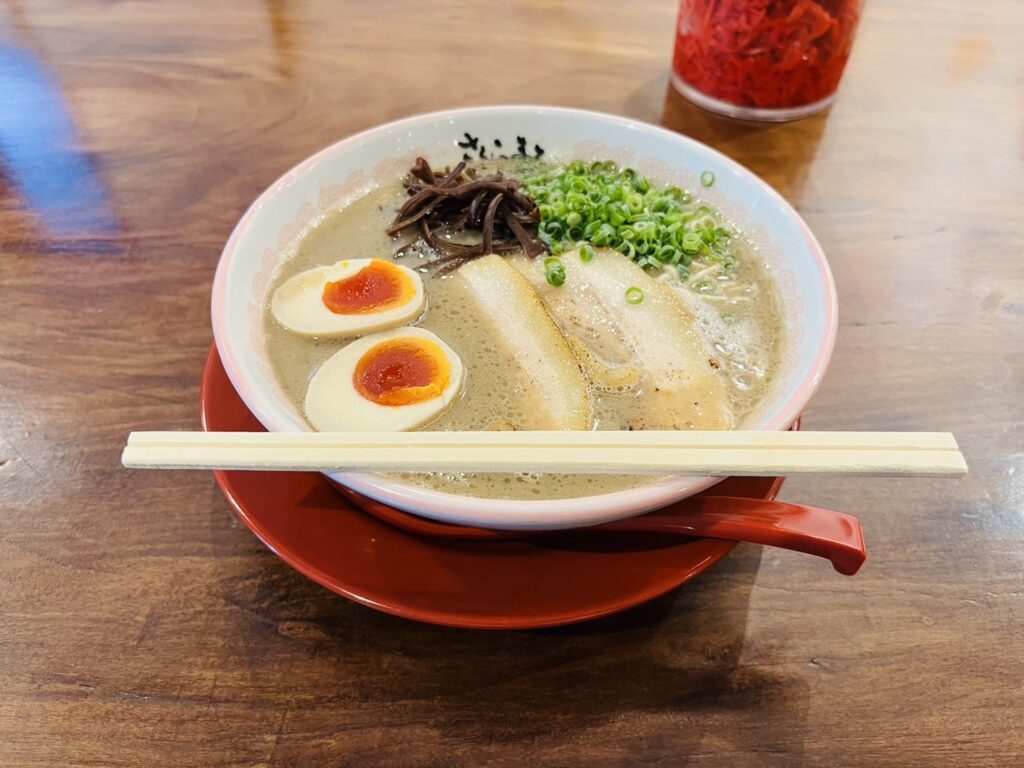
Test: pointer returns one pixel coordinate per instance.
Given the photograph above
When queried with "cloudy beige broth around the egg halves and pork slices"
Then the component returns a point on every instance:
(742, 325)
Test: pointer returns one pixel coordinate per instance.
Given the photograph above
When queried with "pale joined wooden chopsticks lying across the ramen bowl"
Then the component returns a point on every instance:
(934, 454)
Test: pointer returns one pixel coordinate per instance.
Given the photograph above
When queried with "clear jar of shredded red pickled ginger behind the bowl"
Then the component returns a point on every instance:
(763, 60)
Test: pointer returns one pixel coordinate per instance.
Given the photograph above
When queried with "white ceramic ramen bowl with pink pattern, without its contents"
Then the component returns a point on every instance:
(326, 182)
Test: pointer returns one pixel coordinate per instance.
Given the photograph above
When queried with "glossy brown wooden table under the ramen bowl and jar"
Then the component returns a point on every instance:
(143, 626)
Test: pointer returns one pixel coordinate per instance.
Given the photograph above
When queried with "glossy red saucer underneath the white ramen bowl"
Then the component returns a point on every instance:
(538, 582)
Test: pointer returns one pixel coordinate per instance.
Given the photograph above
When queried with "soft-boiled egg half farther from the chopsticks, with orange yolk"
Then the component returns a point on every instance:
(350, 298)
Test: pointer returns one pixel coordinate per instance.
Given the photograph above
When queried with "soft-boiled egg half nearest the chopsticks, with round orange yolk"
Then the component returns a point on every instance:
(390, 381)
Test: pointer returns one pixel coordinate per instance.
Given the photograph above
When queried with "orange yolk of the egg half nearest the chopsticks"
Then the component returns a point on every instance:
(403, 372)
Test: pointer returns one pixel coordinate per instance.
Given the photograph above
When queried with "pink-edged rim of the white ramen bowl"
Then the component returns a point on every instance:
(524, 514)
